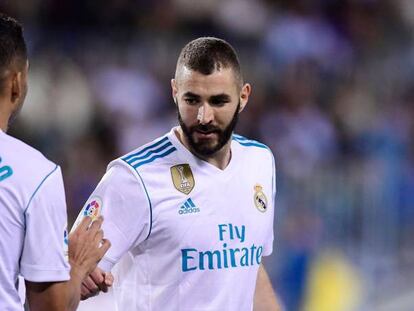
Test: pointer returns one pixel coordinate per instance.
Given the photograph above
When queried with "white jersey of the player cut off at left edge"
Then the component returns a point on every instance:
(33, 236)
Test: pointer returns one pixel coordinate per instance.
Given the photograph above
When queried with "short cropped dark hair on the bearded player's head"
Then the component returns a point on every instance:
(207, 54)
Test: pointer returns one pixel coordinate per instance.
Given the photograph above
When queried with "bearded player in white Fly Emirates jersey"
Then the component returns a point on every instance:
(193, 209)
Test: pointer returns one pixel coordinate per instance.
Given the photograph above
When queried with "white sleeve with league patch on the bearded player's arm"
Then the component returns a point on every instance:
(121, 199)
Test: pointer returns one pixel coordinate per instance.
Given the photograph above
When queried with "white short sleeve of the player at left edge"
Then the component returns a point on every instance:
(45, 245)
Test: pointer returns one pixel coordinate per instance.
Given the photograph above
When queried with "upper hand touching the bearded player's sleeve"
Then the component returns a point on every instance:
(86, 247)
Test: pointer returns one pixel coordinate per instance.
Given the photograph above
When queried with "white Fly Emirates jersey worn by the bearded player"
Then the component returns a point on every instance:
(195, 234)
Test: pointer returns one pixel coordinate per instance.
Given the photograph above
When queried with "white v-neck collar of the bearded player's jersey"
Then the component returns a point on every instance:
(202, 164)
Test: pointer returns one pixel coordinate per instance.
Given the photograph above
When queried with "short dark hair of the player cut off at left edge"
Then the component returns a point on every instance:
(12, 44)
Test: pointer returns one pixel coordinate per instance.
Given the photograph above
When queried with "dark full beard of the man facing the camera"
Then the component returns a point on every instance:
(207, 148)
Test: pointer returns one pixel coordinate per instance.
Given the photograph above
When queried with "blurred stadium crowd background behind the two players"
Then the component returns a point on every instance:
(333, 93)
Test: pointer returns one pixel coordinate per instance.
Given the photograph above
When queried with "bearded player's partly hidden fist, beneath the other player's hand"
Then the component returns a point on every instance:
(97, 281)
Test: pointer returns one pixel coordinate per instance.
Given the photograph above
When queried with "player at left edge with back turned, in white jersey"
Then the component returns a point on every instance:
(33, 236)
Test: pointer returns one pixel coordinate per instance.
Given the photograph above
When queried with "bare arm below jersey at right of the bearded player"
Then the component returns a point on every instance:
(264, 297)
